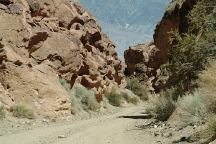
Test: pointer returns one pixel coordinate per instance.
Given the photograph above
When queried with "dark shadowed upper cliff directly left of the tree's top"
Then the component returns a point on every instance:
(175, 18)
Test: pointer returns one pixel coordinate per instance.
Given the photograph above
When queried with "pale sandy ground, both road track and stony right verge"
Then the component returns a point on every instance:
(126, 126)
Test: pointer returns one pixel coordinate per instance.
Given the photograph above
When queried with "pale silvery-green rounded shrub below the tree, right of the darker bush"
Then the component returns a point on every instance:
(192, 108)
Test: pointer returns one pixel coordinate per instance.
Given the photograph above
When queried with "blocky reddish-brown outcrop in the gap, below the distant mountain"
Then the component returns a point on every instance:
(142, 63)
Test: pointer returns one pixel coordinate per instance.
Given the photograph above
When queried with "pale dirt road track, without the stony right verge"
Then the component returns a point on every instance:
(107, 129)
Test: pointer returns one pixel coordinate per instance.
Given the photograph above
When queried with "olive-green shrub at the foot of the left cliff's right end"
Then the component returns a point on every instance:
(114, 97)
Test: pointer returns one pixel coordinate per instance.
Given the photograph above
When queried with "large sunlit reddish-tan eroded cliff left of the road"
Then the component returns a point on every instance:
(41, 41)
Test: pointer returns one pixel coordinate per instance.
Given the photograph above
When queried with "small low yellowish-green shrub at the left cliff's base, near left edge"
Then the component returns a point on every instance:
(22, 111)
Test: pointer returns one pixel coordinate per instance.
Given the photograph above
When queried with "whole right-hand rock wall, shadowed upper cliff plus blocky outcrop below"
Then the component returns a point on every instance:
(175, 18)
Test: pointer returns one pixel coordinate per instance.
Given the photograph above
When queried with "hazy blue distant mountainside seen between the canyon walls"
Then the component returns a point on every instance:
(127, 22)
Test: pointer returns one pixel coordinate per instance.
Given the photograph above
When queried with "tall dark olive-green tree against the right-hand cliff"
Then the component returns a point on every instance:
(190, 52)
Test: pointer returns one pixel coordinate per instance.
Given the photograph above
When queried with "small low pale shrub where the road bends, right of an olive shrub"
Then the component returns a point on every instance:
(129, 96)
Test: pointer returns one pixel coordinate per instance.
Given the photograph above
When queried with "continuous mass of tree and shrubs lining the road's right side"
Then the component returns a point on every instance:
(191, 69)
